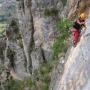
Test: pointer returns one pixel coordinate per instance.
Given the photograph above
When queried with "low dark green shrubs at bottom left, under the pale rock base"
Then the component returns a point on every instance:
(19, 85)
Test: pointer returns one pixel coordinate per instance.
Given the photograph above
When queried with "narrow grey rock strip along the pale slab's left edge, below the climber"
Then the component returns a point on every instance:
(58, 71)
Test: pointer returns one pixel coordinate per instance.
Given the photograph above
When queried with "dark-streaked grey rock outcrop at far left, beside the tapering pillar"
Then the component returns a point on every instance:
(12, 56)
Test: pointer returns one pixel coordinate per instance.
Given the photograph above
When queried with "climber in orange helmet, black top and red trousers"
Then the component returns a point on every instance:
(77, 27)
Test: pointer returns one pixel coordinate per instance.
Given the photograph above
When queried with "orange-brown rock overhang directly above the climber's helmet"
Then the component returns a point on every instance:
(75, 7)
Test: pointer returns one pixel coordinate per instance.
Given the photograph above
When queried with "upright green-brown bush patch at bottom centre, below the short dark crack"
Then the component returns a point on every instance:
(43, 76)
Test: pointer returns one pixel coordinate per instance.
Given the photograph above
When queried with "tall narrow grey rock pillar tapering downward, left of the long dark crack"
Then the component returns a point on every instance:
(26, 27)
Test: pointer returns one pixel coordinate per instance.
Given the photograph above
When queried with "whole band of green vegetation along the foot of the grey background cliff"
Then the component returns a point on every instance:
(39, 81)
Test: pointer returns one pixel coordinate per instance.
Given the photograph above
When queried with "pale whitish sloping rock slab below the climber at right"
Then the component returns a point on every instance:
(77, 71)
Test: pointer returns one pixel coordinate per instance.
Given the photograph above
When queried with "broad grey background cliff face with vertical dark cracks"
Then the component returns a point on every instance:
(28, 42)
